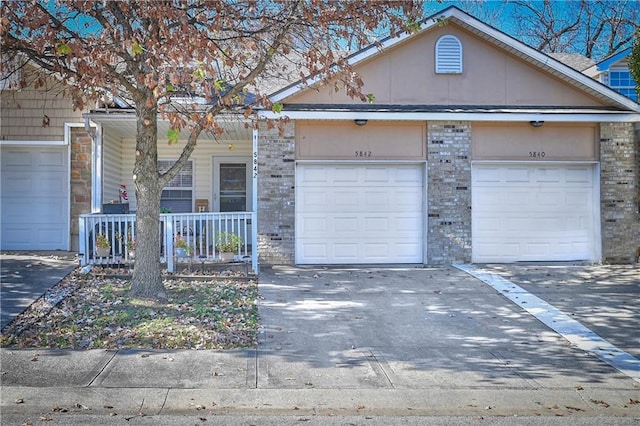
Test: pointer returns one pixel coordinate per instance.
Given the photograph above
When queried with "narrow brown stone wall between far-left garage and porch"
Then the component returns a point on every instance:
(80, 180)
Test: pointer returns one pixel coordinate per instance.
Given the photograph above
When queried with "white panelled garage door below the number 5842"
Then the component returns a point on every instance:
(350, 214)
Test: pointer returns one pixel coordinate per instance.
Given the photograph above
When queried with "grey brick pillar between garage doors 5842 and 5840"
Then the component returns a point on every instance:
(449, 192)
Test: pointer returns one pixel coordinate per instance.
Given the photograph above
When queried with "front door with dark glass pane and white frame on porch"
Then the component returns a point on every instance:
(232, 184)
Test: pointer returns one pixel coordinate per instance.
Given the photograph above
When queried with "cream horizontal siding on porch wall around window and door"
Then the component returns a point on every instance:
(202, 157)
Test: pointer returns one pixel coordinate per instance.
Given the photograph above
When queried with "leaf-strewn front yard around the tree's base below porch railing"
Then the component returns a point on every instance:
(95, 311)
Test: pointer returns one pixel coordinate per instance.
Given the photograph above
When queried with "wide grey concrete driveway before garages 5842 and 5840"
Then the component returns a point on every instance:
(416, 328)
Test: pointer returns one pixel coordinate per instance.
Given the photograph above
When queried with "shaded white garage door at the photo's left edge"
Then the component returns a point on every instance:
(35, 198)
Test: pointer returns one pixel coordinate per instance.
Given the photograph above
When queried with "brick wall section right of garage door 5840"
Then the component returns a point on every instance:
(619, 170)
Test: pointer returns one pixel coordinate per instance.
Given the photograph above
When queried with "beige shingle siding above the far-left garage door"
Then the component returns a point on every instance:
(23, 111)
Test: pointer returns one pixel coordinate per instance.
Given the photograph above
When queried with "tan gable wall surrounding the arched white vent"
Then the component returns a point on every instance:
(406, 75)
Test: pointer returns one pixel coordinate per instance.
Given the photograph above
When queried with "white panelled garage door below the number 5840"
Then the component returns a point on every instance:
(533, 213)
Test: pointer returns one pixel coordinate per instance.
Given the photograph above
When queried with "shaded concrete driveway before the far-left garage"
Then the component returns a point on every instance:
(28, 275)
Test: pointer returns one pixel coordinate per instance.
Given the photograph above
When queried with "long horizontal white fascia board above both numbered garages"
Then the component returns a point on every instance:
(454, 116)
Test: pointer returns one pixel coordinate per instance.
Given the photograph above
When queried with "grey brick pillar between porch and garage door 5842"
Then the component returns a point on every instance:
(276, 195)
